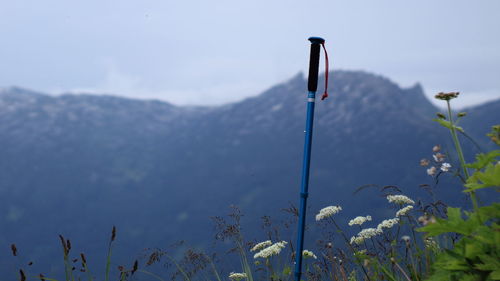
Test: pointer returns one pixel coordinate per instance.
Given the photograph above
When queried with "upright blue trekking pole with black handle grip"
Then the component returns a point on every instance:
(312, 86)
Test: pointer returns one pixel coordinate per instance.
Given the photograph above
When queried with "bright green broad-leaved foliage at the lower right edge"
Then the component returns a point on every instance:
(476, 256)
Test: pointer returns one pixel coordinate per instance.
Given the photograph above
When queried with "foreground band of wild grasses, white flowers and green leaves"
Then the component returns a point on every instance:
(422, 241)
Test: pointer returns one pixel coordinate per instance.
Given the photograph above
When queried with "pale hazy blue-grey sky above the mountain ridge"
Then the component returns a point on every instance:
(212, 52)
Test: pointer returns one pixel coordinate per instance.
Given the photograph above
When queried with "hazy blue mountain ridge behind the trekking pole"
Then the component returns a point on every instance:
(78, 164)
